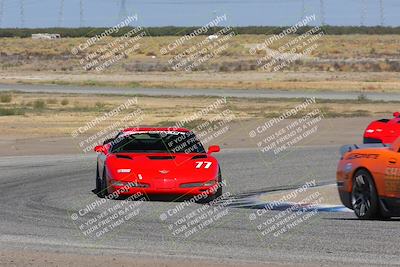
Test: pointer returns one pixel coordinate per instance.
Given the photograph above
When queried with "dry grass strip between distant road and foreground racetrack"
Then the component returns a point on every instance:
(22, 115)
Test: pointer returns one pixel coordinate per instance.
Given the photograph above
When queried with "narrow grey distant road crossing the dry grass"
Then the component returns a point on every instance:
(247, 93)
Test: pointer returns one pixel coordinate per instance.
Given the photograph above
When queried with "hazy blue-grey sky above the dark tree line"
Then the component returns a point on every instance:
(46, 13)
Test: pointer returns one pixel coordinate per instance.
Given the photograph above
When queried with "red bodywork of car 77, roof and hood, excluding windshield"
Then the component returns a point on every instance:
(159, 173)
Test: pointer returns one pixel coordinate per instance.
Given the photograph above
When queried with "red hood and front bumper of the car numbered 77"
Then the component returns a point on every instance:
(162, 176)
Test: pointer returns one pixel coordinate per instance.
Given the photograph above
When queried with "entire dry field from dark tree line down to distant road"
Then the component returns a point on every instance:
(344, 63)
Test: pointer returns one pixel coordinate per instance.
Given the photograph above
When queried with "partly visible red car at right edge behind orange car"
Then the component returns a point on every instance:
(383, 131)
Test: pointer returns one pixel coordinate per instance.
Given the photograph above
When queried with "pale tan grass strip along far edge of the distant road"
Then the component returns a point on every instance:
(314, 81)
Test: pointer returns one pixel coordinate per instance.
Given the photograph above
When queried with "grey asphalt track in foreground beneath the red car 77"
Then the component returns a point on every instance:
(39, 194)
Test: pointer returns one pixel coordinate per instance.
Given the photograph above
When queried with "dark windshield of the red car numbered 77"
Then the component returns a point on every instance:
(157, 142)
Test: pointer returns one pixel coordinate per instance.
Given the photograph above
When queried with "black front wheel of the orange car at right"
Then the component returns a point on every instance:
(364, 198)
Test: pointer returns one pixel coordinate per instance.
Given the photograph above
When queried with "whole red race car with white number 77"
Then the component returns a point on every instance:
(158, 161)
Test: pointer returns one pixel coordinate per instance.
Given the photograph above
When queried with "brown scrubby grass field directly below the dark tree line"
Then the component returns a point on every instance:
(44, 55)
